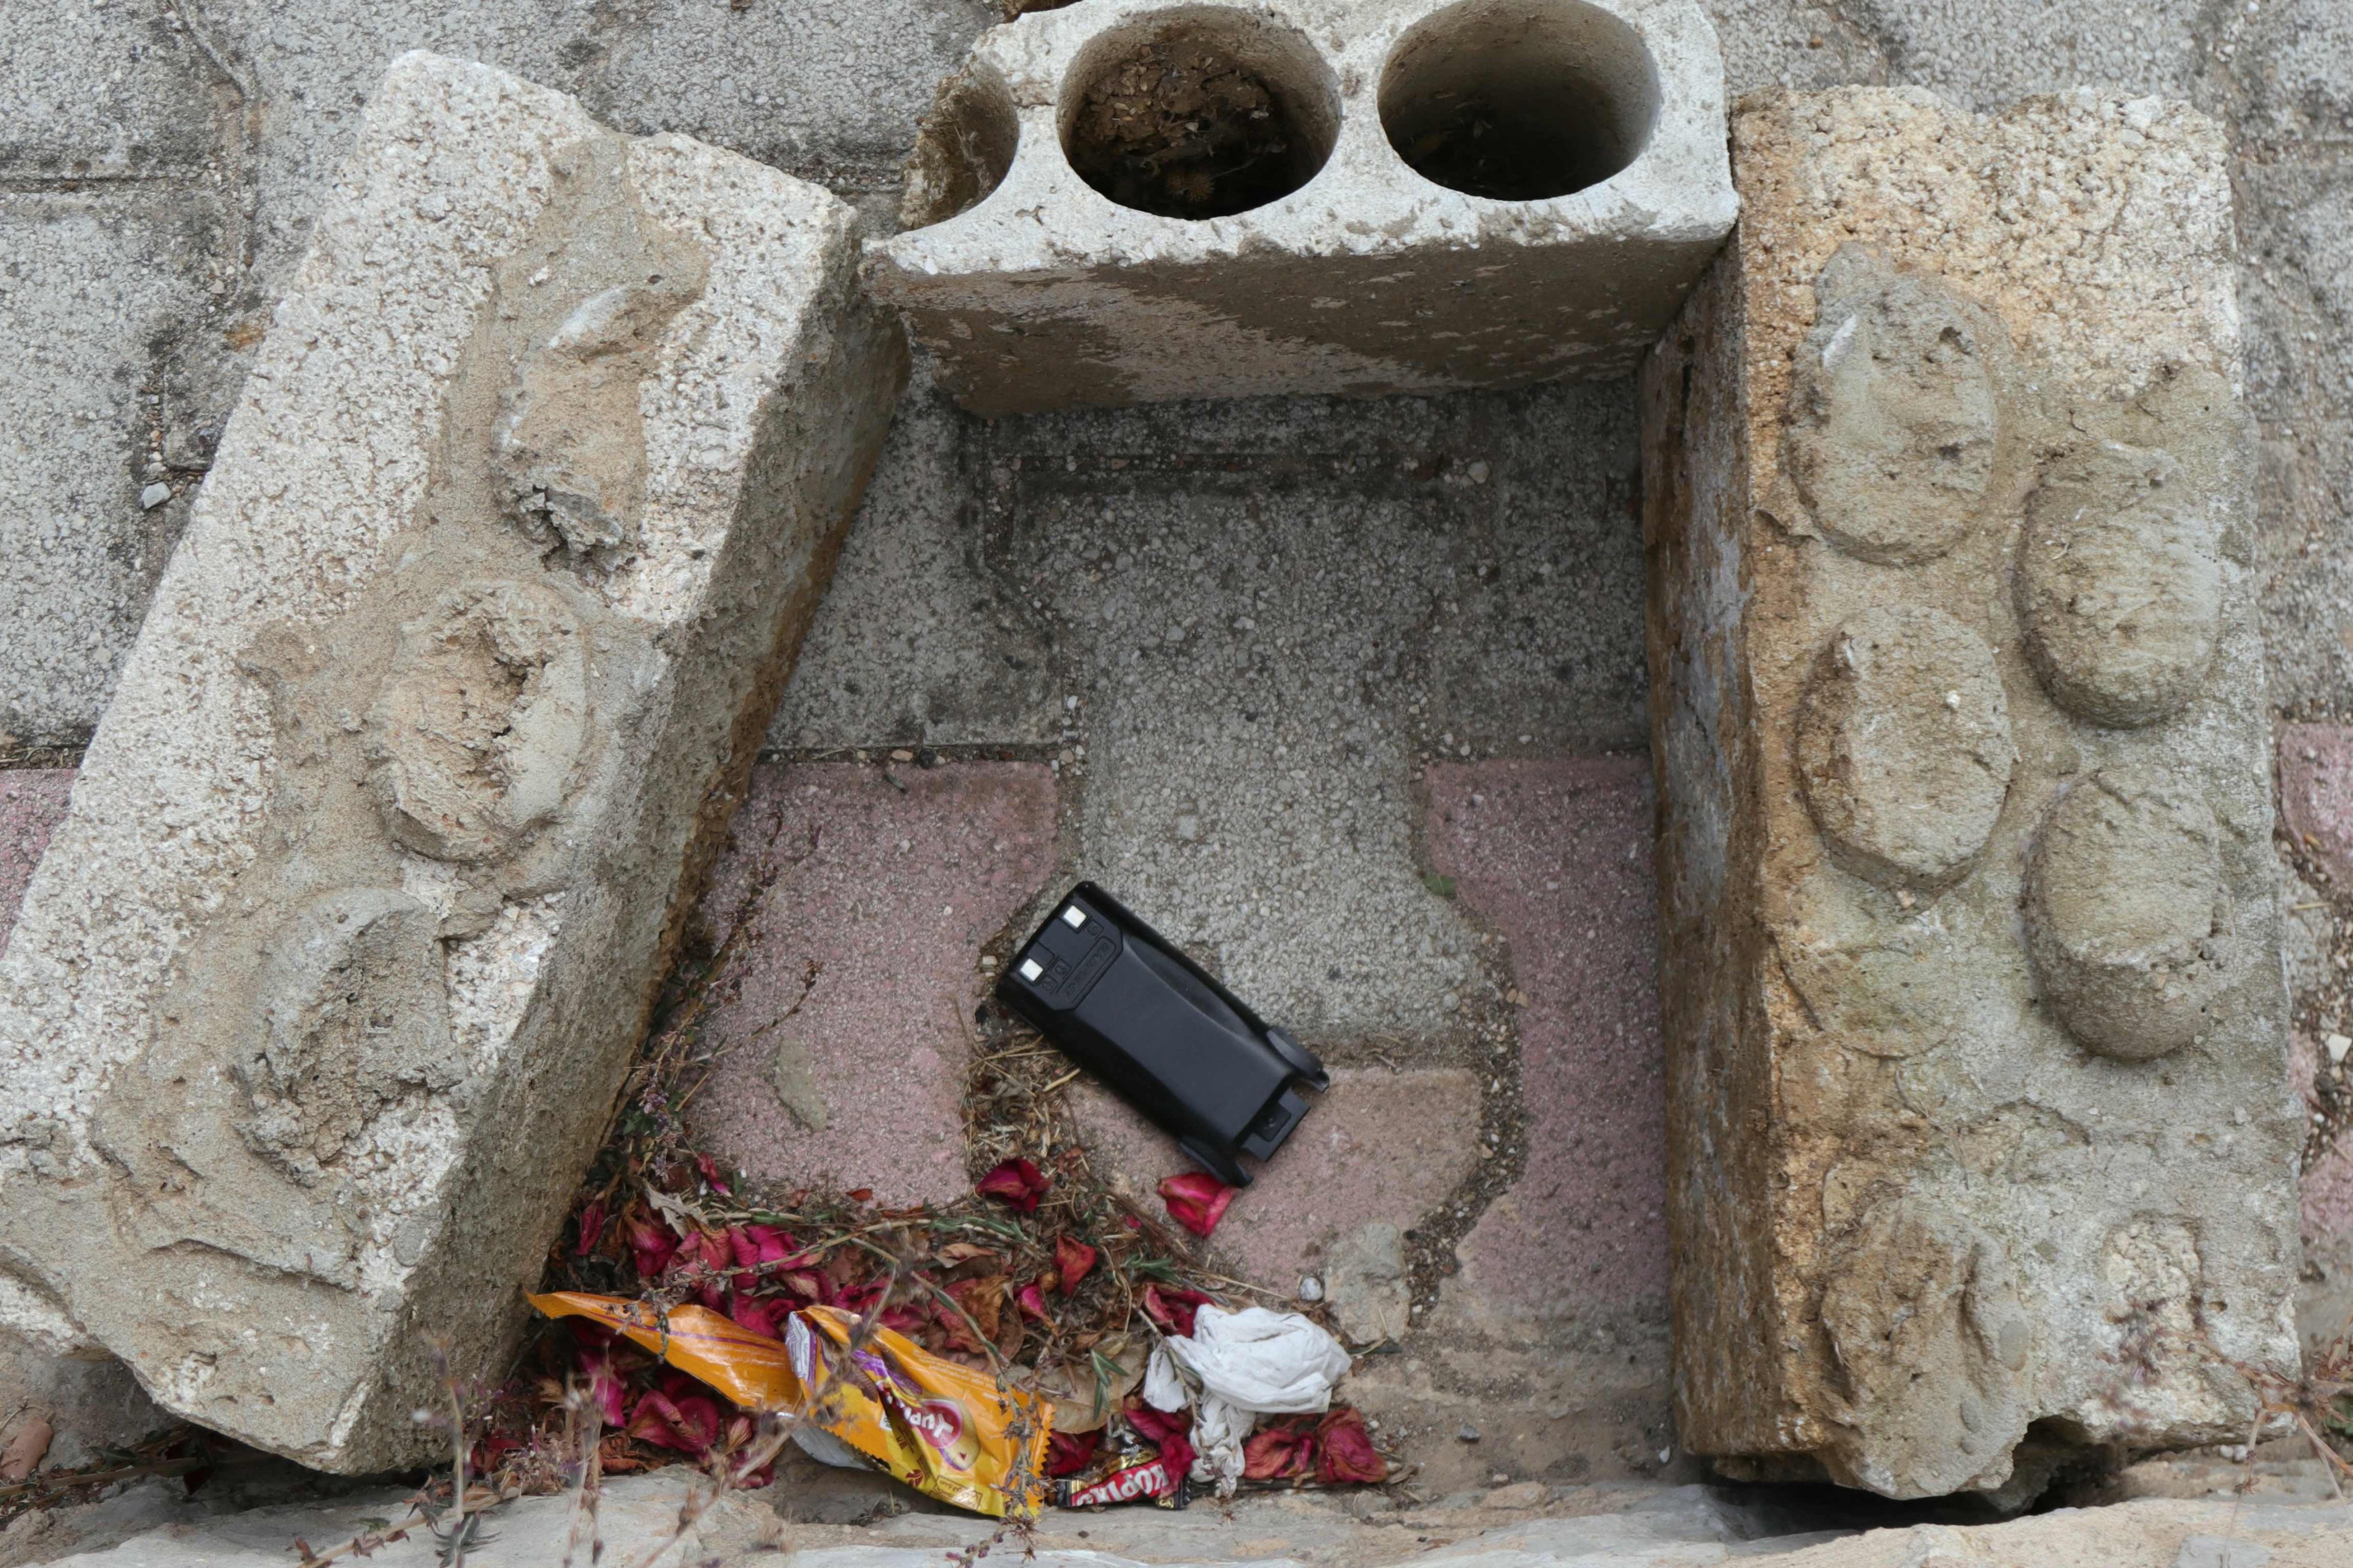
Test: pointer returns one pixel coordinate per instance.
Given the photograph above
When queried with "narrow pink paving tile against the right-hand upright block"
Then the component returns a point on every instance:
(1559, 857)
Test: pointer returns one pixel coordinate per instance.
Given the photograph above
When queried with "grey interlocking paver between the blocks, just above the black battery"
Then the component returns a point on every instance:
(1265, 631)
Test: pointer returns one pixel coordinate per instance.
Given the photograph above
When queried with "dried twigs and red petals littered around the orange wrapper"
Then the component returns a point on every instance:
(1041, 1278)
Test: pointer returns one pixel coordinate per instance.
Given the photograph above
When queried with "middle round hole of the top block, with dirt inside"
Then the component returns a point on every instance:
(1199, 114)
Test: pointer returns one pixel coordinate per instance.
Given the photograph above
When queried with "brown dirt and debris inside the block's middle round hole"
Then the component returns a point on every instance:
(1182, 128)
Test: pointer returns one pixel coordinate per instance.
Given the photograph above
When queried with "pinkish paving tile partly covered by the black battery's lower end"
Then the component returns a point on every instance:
(1378, 1148)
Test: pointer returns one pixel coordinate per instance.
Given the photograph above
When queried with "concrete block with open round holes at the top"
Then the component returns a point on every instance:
(1138, 201)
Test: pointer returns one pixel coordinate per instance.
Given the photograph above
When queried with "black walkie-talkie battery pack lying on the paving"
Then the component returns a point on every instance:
(1124, 1003)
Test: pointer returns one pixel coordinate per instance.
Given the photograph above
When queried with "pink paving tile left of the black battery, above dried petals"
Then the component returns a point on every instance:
(853, 981)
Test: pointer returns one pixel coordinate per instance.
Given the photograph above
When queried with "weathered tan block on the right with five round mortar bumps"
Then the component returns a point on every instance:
(1982, 1141)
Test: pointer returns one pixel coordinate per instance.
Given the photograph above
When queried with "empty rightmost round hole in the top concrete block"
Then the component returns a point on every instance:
(1519, 100)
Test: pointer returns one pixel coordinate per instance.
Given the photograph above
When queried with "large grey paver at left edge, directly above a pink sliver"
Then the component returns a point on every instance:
(93, 283)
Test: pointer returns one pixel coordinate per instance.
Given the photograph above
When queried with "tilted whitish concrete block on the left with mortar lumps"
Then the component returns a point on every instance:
(319, 1000)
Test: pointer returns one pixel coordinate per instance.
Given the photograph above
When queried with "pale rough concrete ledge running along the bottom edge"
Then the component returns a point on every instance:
(1637, 1529)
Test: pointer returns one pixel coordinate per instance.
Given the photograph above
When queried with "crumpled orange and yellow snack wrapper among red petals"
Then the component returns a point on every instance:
(942, 1428)
